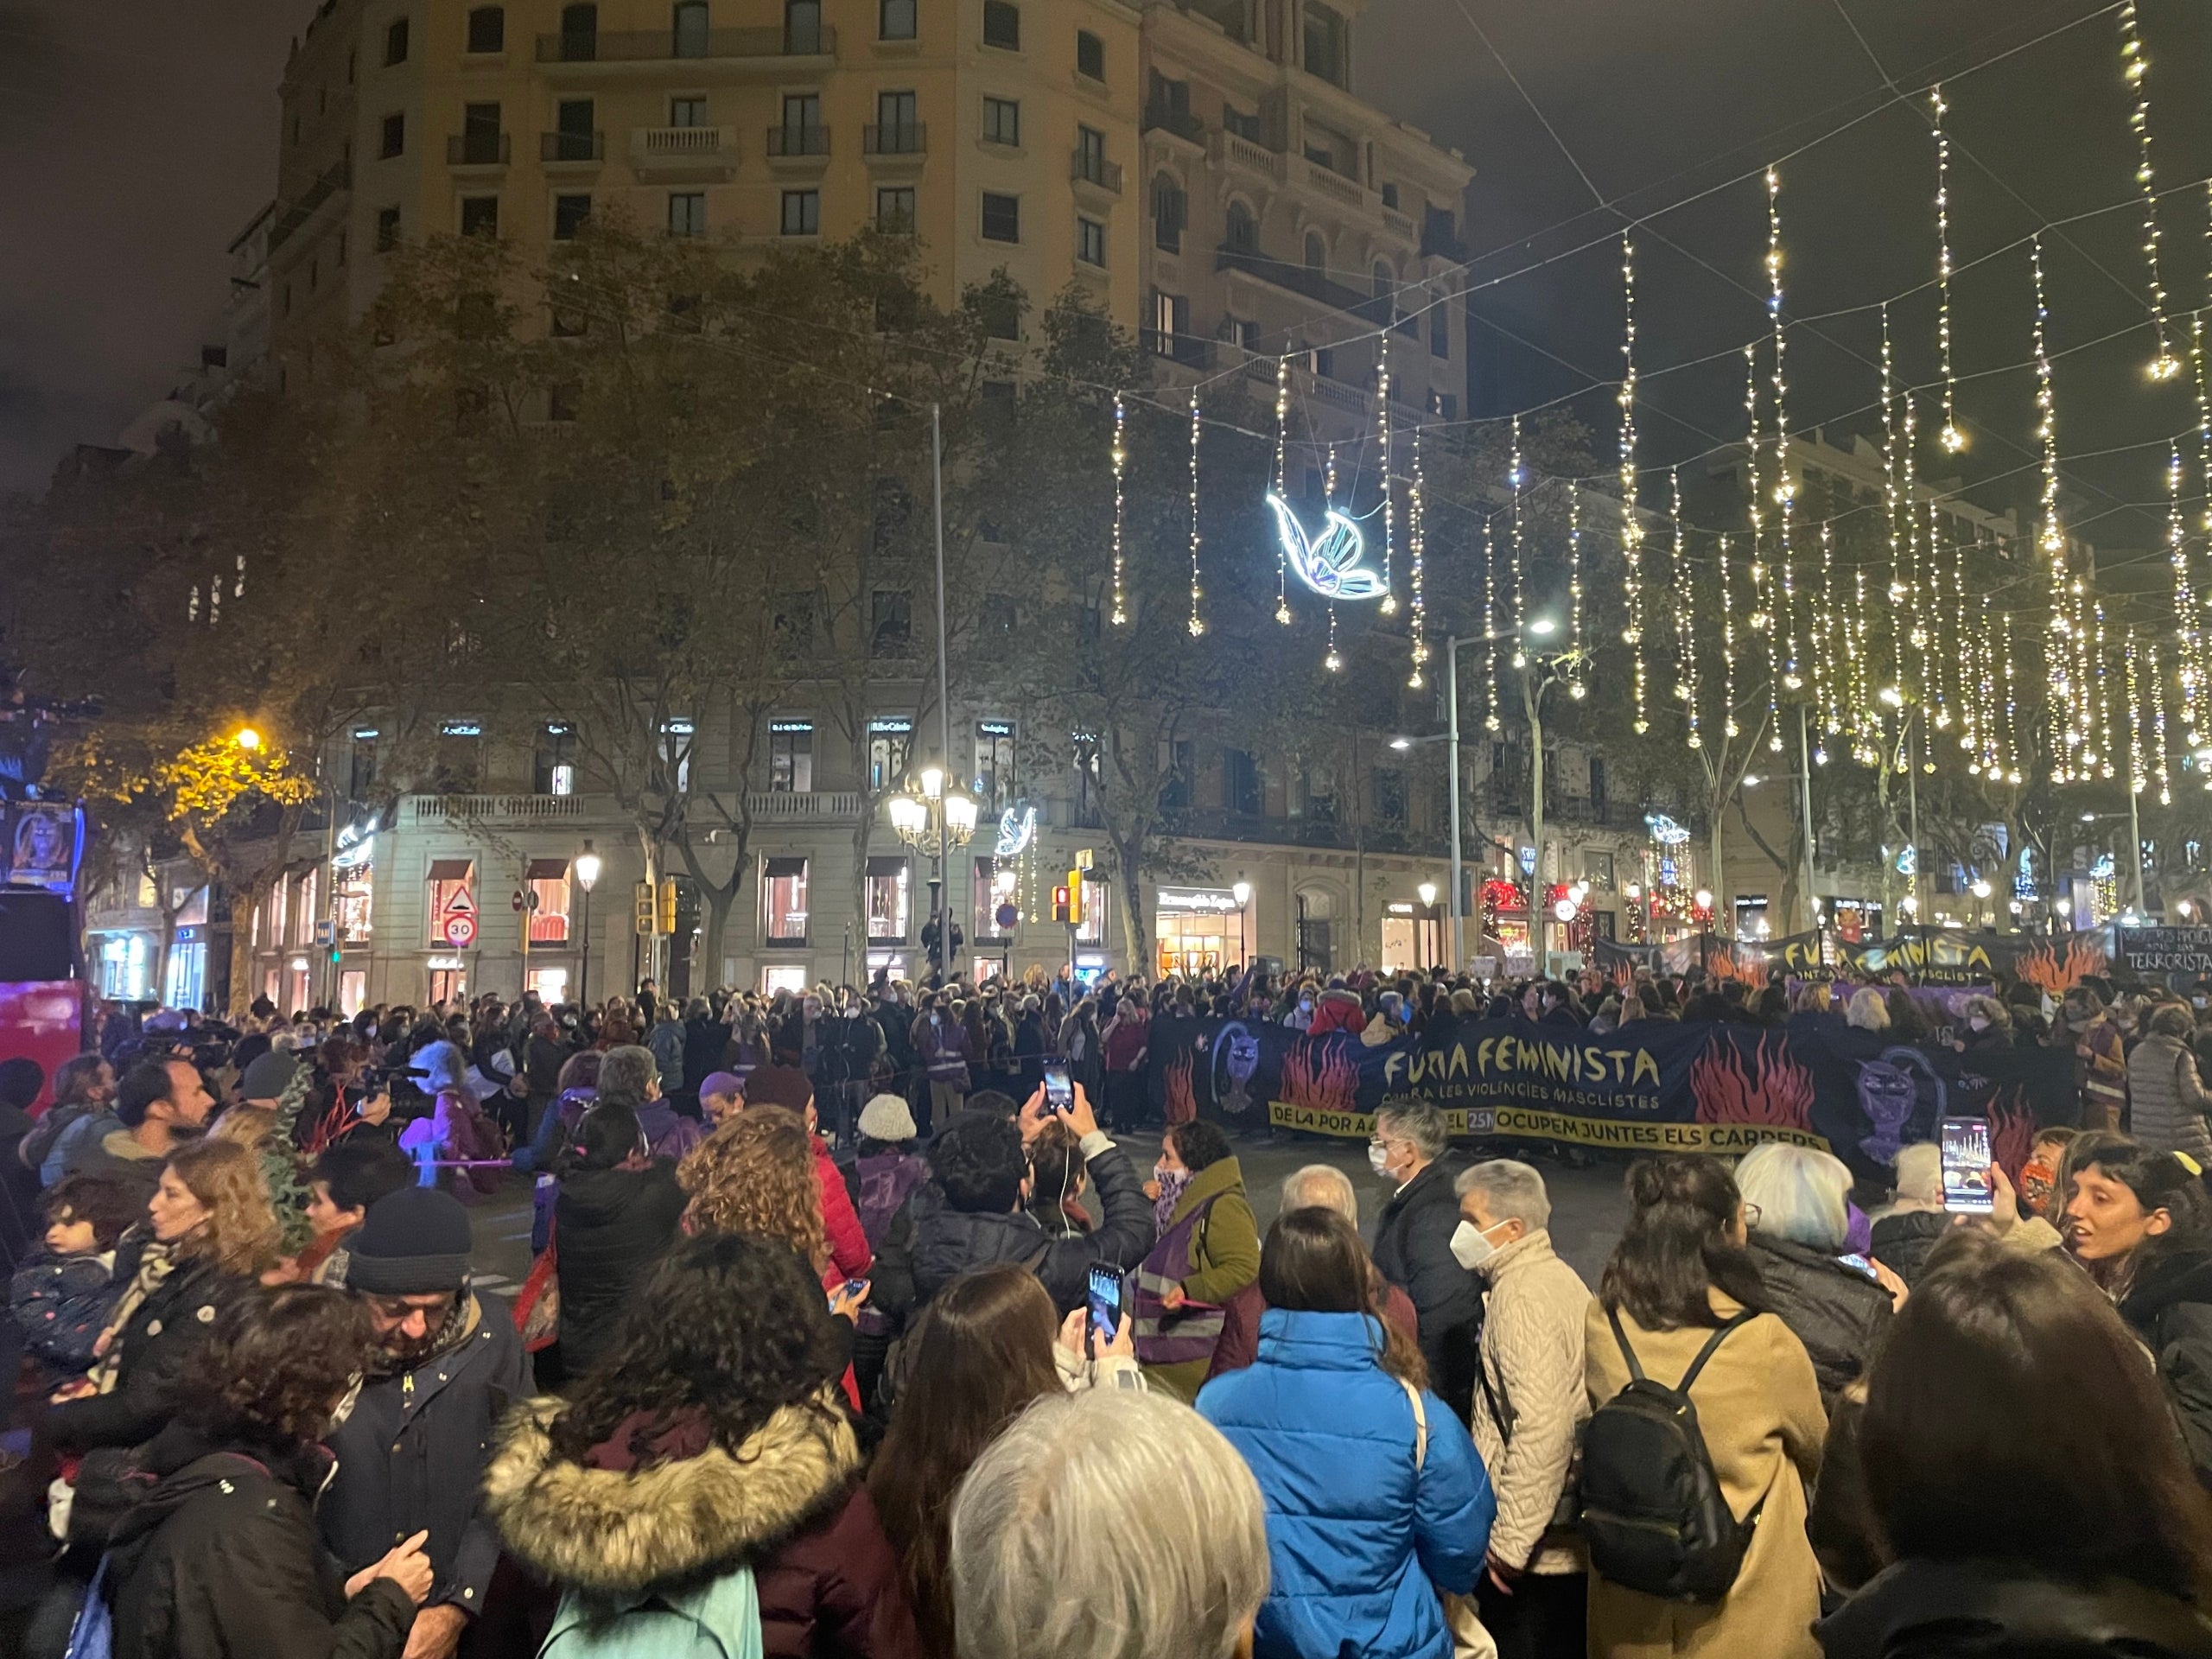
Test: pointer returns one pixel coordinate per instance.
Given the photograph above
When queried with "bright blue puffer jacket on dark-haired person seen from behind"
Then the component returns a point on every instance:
(1359, 1541)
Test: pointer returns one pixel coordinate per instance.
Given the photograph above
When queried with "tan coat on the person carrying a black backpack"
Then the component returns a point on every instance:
(1760, 1408)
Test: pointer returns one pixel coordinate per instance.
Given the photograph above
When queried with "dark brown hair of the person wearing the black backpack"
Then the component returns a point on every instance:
(1676, 1249)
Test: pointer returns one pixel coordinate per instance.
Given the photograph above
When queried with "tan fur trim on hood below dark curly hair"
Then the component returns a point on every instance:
(620, 1532)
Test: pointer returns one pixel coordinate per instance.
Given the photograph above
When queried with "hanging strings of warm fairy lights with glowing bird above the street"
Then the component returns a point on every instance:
(1928, 620)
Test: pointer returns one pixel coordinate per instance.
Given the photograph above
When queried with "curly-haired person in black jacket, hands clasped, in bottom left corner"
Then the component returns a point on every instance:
(222, 1554)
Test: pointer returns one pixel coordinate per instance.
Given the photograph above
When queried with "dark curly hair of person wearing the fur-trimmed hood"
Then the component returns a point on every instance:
(731, 1328)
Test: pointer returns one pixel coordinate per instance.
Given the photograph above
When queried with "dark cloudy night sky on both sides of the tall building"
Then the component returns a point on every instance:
(138, 138)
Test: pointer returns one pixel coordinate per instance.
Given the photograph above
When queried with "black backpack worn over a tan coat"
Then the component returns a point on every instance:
(1653, 1512)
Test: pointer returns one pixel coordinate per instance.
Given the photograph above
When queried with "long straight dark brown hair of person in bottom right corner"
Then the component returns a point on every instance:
(2010, 1375)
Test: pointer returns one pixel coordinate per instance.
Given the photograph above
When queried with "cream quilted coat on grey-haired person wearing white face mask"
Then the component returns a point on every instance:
(1532, 1359)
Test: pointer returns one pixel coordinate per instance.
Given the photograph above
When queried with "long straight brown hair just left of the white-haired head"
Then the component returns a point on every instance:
(981, 1355)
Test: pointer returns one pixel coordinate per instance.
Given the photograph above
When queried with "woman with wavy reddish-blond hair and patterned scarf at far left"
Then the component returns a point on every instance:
(207, 1238)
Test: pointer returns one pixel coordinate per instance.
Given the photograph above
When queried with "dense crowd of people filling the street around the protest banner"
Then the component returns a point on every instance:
(848, 1337)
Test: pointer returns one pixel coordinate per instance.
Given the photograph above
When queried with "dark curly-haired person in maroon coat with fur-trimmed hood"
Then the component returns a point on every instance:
(705, 1477)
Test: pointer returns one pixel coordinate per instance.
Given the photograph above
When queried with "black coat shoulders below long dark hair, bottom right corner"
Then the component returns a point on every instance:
(1999, 1611)
